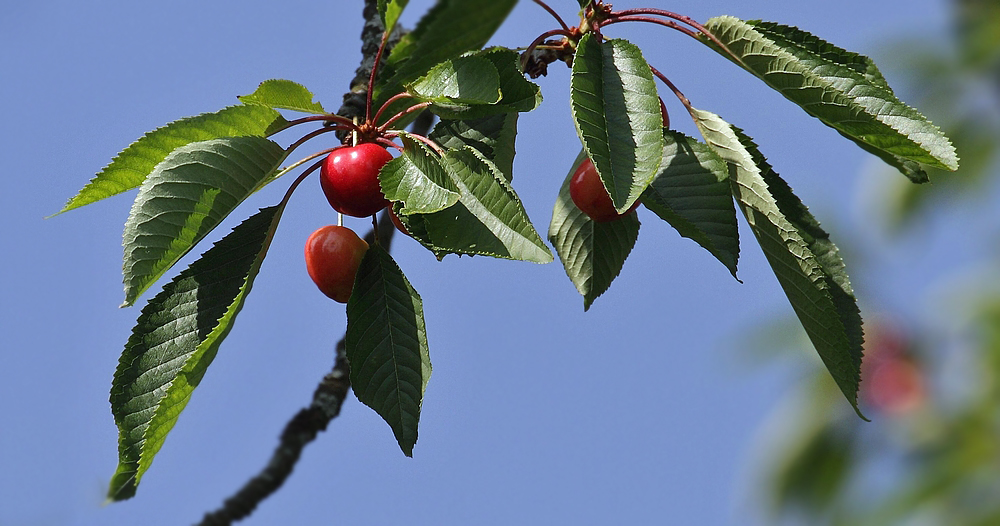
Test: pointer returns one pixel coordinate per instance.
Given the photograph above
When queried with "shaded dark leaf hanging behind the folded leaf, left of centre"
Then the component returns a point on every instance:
(491, 136)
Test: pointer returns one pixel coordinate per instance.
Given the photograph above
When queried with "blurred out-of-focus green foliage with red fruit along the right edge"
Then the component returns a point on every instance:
(932, 454)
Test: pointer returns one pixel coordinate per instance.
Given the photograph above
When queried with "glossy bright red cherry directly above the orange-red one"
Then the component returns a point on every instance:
(349, 178)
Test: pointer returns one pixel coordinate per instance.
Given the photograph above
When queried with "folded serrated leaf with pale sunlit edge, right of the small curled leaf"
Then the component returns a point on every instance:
(488, 219)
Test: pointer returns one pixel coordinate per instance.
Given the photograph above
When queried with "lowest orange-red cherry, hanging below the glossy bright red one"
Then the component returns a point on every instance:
(333, 254)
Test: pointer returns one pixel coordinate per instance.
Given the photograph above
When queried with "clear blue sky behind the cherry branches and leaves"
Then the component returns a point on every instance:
(640, 411)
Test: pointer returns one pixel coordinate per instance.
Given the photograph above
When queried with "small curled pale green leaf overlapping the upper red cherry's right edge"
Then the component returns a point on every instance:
(418, 180)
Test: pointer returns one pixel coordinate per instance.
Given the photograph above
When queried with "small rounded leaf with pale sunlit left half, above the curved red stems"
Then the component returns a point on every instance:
(466, 79)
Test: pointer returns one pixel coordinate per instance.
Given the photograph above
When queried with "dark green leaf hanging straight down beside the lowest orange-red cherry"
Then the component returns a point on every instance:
(387, 345)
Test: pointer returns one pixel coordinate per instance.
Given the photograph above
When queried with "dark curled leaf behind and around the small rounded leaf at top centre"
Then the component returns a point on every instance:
(518, 94)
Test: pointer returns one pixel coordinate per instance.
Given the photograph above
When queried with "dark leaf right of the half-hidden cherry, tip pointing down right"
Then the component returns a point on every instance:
(692, 193)
